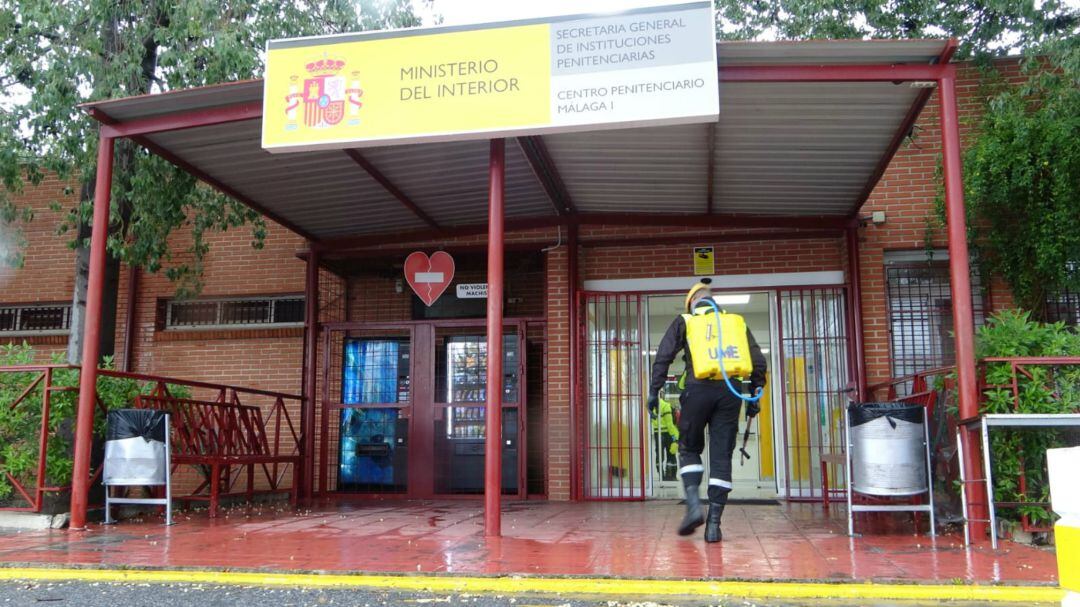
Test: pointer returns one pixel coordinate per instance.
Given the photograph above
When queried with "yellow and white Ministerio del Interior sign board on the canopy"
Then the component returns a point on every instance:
(647, 66)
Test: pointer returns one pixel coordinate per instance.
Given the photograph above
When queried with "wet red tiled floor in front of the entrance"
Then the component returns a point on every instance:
(627, 539)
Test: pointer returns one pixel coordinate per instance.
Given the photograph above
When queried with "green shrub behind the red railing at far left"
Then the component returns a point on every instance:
(21, 425)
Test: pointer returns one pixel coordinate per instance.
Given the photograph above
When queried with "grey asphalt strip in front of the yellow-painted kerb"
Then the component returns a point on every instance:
(91, 595)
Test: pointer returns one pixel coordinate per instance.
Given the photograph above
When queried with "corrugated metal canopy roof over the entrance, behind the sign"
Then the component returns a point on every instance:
(790, 150)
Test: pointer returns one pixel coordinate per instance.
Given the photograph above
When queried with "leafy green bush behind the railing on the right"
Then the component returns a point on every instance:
(1043, 390)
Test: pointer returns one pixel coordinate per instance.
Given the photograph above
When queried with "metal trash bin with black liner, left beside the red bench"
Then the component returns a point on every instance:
(137, 454)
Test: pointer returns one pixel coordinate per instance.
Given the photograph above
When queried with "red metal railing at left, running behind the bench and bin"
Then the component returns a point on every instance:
(48, 399)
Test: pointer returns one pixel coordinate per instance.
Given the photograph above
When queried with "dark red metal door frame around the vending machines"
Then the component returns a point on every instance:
(421, 408)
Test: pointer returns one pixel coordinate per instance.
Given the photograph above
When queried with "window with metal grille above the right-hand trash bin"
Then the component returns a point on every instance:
(921, 316)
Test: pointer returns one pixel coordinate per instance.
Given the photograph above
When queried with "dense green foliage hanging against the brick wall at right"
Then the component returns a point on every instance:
(1022, 178)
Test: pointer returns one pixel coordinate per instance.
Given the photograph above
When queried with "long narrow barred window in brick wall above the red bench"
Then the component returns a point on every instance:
(234, 313)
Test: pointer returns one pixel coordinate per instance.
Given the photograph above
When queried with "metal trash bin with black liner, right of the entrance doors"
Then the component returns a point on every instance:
(888, 455)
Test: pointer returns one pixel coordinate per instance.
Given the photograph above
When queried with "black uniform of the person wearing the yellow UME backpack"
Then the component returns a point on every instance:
(705, 402)
